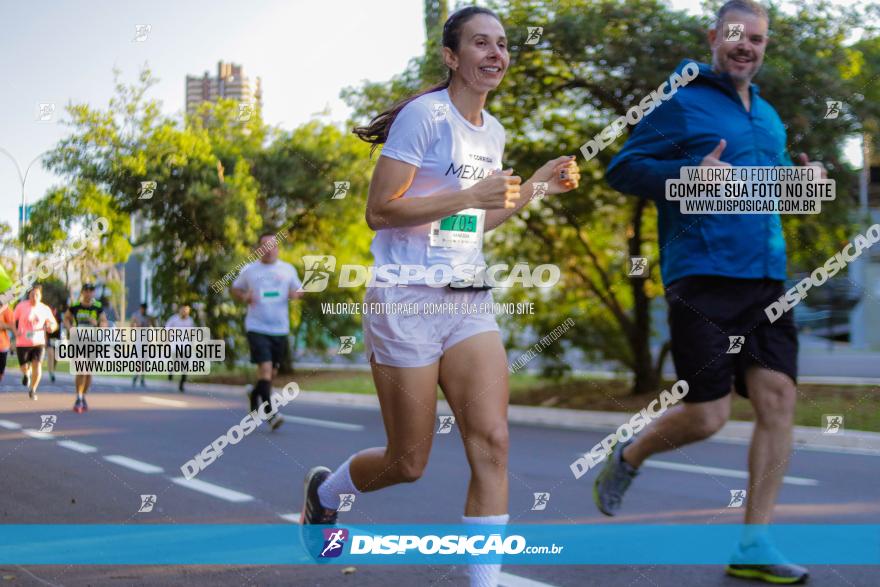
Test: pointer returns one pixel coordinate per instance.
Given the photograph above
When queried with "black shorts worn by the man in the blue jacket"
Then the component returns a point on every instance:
(705, 311)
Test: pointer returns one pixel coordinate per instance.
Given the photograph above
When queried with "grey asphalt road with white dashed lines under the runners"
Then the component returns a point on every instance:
(147, 435)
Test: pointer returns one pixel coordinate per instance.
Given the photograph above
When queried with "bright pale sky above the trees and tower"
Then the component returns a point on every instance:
(305, 51)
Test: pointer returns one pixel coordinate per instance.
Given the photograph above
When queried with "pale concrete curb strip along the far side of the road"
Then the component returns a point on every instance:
(560, 418)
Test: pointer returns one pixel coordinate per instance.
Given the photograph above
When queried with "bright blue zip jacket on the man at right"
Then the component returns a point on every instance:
(681, 132)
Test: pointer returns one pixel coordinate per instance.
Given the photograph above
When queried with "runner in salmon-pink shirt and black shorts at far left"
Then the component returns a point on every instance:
(33, 319)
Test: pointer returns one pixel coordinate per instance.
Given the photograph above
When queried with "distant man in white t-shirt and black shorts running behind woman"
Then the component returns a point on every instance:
(267, 286)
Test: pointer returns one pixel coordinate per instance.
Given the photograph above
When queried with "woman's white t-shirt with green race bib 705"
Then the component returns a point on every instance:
(452, 154)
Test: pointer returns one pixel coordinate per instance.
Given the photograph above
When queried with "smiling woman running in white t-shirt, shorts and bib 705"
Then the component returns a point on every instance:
(437, 188)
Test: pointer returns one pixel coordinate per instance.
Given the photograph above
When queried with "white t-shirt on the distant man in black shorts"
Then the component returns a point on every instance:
(271, 283)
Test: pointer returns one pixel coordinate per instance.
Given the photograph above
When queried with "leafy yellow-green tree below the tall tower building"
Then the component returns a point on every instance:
(203, 212)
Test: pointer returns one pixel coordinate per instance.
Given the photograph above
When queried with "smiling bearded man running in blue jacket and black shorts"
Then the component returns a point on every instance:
(720, 271)
